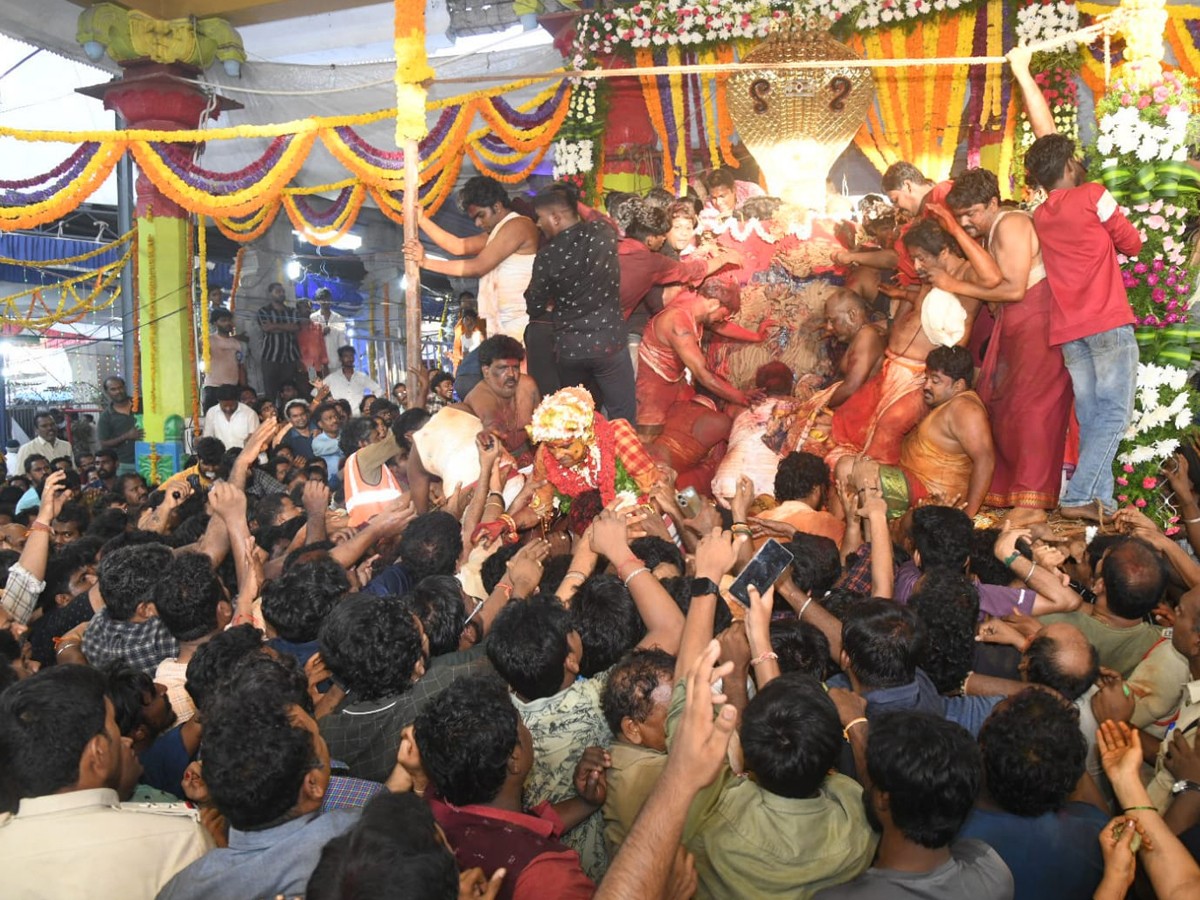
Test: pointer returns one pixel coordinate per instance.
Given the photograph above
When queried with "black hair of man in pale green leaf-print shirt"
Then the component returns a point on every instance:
(529, 646)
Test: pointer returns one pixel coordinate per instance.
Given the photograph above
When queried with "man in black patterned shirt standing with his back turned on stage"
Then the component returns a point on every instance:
(578, 272)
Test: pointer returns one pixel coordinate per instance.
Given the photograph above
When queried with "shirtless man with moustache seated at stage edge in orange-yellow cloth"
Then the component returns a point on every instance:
(951, 454)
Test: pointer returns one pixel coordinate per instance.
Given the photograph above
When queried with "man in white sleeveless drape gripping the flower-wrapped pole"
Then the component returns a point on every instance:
(501, 257)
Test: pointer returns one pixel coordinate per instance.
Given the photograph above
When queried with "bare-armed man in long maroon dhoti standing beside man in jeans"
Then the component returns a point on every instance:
(1023, 377)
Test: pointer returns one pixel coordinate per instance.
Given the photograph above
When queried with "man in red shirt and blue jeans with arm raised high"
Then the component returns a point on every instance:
(1082, 230)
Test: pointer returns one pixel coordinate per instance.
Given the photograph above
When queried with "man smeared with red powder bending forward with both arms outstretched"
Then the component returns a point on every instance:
(671, 347)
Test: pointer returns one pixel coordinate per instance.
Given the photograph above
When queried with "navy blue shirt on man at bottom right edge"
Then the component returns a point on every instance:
(1055, 856)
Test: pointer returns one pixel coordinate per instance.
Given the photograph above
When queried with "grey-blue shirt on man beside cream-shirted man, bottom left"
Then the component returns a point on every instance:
(267, 863)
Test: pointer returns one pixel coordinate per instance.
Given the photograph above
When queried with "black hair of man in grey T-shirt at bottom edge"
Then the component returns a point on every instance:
(931, 769)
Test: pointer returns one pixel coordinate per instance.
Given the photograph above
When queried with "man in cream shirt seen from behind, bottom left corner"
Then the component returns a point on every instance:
(65, 760)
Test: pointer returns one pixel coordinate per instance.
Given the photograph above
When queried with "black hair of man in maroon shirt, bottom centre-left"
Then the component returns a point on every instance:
(466, 736)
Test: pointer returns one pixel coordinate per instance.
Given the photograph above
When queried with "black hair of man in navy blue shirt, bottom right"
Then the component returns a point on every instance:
(1034, 753)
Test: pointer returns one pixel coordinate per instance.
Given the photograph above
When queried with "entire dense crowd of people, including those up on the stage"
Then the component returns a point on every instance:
(513, 633)
